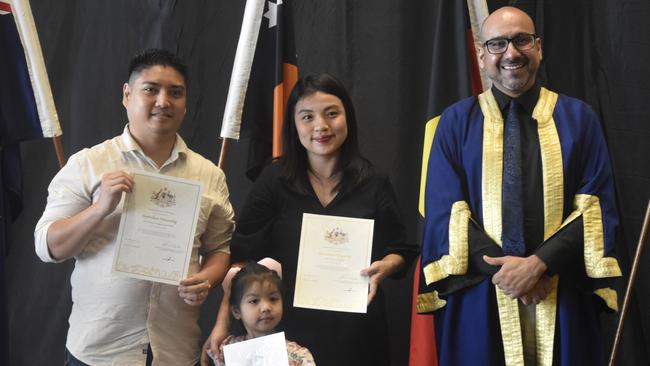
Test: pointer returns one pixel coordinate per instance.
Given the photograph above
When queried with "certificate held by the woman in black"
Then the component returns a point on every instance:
(333, 251)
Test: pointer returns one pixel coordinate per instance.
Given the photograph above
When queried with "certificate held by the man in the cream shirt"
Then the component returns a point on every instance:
(157, 228)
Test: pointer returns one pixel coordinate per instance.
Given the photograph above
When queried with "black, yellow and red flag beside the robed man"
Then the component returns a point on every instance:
(454, 75)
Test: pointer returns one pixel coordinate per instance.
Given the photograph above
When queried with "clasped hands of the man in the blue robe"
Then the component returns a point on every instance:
(517, 275)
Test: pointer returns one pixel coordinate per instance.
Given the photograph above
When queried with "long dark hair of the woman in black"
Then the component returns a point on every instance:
(294, 162)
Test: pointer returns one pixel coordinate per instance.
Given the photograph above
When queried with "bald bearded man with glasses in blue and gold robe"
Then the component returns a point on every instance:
(520, 216)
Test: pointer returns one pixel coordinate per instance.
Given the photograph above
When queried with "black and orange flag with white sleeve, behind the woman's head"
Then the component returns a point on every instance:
(266, 68)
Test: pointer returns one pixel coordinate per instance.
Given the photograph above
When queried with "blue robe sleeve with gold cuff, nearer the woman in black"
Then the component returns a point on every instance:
(453, 243)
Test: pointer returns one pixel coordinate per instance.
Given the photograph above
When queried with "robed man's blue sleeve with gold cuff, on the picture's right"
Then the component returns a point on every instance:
(586, 239)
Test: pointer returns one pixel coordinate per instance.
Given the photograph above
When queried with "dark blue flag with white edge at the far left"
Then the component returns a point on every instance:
(26, 112)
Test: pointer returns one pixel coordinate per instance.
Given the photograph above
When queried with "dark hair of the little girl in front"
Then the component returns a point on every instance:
(251, 273)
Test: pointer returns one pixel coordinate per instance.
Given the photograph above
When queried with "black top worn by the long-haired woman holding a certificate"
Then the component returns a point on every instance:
(269, 226)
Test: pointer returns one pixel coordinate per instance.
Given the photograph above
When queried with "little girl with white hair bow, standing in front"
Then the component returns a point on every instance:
(256, 306)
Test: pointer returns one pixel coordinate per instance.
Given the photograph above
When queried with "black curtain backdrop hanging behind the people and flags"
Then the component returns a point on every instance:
(382, 50)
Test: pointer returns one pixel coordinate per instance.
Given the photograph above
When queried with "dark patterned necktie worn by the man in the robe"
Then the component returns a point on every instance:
(512, 235)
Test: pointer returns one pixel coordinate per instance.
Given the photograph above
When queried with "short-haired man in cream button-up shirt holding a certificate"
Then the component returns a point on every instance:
(118, 320)
